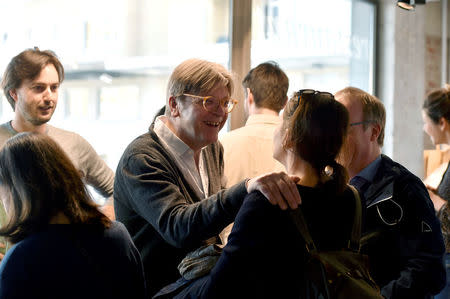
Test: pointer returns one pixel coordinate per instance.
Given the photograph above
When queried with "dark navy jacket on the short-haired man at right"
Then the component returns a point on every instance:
(406, 253)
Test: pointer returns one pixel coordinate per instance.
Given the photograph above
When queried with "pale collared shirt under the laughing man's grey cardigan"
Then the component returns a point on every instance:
(184, 157)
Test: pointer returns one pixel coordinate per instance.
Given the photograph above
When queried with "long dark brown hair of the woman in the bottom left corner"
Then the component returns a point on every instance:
(38, 180)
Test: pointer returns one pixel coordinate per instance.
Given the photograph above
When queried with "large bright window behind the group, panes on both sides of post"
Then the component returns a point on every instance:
(118, 55)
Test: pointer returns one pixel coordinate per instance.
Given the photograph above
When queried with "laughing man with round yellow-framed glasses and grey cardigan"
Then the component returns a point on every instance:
(169, 183)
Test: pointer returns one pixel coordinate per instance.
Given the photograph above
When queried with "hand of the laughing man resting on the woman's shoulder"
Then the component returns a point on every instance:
(278, 187)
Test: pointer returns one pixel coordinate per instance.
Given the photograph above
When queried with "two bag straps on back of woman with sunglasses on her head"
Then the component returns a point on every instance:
(353, 243)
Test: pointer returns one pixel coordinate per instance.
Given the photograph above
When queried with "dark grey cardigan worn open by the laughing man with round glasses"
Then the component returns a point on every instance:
(163, 214)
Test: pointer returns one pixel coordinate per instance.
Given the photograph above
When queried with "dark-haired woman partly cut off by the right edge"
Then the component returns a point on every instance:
(436, 119)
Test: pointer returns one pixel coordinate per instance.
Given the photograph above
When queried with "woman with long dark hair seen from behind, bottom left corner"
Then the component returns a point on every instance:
(62, 245)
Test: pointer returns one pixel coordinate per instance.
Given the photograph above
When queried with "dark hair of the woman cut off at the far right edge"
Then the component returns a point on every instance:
(437, 104)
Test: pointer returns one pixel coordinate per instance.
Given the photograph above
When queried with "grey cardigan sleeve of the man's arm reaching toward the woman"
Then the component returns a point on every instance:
(157, 193)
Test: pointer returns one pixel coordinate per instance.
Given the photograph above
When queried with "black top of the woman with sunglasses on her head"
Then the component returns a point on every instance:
(265, 254)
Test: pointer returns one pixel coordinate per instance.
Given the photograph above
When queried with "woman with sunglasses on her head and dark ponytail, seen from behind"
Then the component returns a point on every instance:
(265, 256)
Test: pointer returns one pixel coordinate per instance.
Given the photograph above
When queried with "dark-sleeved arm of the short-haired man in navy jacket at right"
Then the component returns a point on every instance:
(422, 247)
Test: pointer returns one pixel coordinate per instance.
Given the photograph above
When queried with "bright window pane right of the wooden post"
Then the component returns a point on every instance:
(316, 48)
